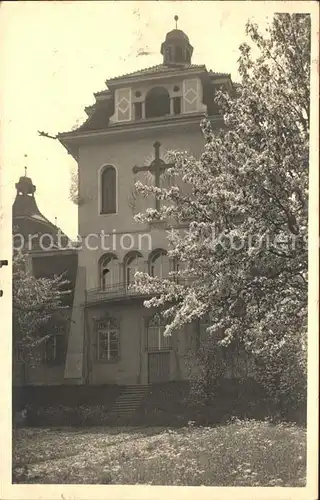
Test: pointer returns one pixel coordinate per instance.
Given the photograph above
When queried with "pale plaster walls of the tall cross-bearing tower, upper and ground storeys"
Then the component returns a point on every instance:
(124, 152)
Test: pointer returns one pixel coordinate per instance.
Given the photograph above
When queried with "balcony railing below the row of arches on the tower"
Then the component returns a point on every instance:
(118, 291)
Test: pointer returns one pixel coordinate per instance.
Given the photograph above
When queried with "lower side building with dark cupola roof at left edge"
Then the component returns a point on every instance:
(46, 254)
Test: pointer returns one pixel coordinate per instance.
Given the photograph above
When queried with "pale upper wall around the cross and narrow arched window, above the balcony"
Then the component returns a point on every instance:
(123, 154)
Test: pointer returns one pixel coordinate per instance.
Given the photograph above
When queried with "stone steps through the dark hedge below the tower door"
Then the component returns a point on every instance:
(128, 402)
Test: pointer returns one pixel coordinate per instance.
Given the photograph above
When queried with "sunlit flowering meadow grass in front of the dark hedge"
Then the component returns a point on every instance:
(240, 453)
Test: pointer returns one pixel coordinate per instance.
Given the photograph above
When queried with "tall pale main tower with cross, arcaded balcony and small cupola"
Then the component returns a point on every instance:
(134, 121)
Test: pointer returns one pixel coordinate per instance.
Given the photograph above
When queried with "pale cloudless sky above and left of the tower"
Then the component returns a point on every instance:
(55, 55)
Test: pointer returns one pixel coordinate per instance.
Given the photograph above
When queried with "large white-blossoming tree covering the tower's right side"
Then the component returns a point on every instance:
(244, 253)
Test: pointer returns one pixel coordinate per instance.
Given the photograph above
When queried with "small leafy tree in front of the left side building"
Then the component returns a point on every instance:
(37, 305)
